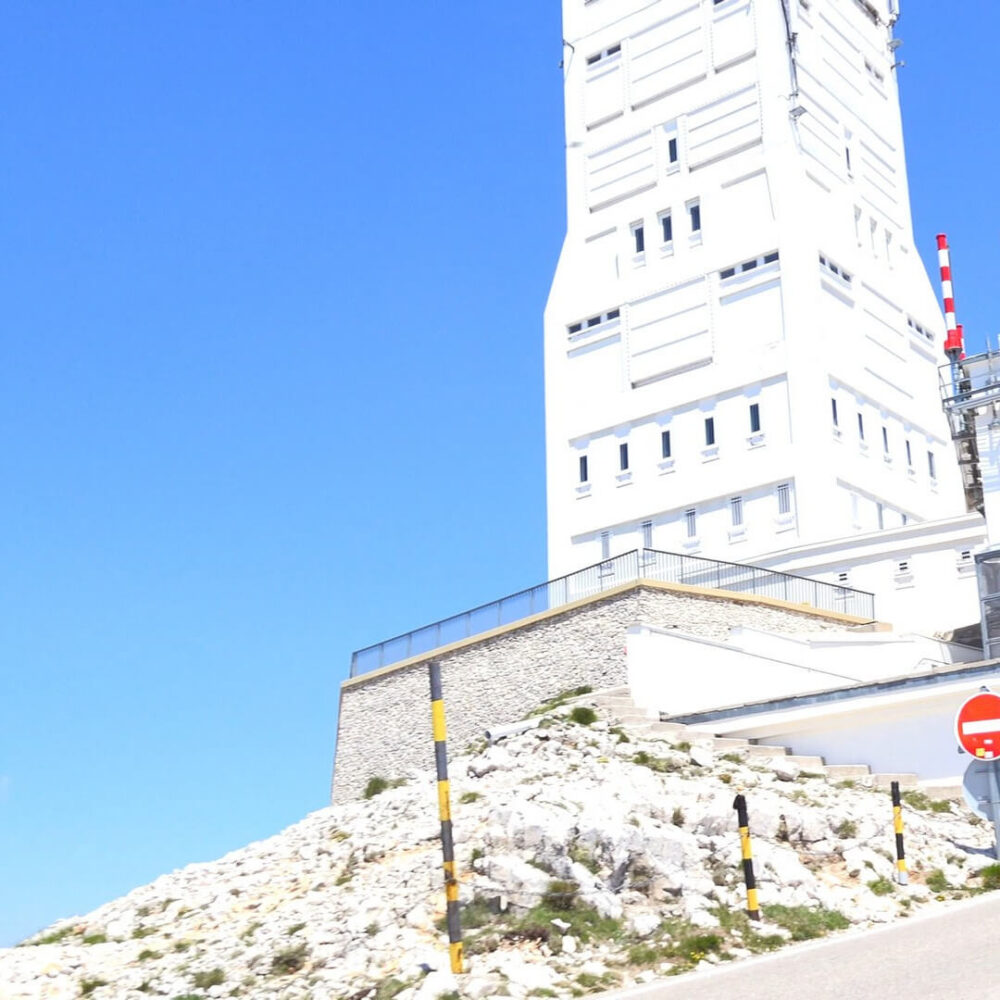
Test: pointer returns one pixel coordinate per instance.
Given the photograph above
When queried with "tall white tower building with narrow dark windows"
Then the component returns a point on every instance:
(741, 342)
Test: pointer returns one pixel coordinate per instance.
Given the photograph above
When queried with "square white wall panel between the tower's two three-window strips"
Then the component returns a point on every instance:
(669, 331)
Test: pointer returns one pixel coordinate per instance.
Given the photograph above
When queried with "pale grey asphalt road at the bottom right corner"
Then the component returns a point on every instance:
(951, 954)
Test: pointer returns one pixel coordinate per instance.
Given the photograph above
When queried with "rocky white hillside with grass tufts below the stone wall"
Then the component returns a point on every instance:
(588, 859)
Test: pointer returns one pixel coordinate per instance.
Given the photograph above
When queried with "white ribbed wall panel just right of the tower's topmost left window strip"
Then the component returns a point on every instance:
(667, 55)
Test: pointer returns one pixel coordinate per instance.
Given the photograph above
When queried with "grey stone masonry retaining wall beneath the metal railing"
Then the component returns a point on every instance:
(385, 728)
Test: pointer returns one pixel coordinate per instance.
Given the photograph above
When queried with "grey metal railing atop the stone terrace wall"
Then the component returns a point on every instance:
(639, 564)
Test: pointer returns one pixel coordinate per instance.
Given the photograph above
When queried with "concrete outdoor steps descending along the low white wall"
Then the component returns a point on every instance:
(619, 709)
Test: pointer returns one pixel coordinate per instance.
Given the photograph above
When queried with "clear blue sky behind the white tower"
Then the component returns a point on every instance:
(271, 285)
